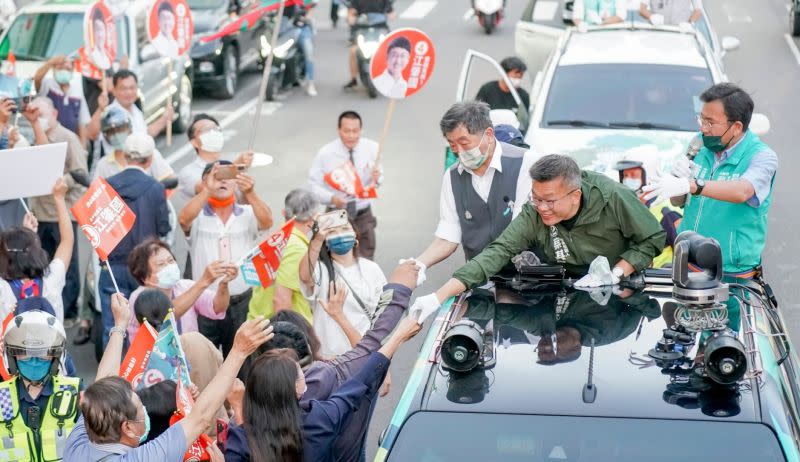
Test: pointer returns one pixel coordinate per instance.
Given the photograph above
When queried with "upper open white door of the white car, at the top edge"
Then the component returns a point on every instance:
(539, 31)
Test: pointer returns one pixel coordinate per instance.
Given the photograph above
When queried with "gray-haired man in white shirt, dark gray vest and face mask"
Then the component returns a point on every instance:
(481, 193)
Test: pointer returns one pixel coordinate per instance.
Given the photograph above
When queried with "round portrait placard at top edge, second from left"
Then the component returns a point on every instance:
(170, 27)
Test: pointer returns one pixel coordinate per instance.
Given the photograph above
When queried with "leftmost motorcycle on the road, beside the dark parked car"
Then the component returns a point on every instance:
(288, 61)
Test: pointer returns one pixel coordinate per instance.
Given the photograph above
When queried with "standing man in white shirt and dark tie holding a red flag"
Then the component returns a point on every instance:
(362, 153)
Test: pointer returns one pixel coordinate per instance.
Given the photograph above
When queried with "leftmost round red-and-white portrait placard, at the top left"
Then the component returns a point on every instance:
(100, 35)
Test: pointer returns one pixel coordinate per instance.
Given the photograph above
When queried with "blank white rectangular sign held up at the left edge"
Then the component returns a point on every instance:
(31, 171)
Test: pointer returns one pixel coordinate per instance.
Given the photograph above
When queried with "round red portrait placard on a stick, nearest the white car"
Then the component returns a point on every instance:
(403, 63)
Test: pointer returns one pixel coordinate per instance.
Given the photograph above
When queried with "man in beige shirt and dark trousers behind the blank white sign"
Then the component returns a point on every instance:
(44, 207)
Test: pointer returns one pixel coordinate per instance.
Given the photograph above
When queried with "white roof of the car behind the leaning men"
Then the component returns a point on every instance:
(625, 46)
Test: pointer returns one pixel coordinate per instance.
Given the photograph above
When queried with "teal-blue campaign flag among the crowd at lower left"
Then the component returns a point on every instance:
(166, 361)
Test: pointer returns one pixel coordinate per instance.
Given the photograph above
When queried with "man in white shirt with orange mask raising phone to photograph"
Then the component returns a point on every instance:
(216, 225)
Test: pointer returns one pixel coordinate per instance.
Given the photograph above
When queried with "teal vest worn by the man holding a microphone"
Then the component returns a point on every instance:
(740, 228)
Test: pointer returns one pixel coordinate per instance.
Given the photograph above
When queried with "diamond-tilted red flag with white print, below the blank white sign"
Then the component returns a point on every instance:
(104, 217)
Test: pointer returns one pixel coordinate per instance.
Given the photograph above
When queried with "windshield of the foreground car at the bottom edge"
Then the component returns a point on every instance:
(489, 437)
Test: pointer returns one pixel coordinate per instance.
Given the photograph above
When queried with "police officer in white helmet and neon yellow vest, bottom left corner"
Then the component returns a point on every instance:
(38, 406)
